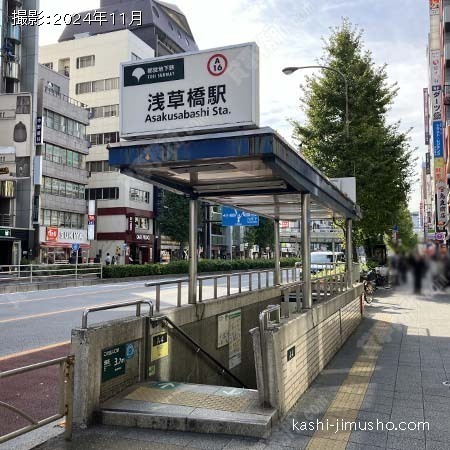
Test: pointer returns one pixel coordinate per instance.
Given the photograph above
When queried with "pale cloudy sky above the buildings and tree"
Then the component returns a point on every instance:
(290, 32)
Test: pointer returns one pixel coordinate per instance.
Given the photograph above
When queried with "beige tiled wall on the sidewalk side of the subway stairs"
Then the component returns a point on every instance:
(316, 335)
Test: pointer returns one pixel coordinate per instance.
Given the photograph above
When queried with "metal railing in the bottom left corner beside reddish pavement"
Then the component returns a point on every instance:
(65, 408)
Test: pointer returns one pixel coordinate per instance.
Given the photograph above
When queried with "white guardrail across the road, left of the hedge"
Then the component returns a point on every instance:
(42, 272)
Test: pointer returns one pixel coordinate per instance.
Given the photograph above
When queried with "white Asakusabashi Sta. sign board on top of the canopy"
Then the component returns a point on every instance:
(207, 90)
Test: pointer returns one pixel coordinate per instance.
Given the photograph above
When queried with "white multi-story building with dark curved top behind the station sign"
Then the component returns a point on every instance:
(91, 55)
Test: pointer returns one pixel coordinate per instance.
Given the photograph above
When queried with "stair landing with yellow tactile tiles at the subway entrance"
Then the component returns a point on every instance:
(190, 407)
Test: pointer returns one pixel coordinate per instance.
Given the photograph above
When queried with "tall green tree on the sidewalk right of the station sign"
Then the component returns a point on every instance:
(375, 152)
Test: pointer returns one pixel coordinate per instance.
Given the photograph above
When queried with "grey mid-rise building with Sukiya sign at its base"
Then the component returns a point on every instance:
(60, 170)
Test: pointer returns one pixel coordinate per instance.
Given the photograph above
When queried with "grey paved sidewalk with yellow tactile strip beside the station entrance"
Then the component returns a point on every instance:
(391, 370)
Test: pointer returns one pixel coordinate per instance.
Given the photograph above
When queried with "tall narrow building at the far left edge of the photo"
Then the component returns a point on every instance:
(18, 87)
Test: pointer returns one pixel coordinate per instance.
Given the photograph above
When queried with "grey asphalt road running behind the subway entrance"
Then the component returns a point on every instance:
(33, 320)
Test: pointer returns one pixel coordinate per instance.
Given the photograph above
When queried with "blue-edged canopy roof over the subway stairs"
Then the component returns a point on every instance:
(255, 170)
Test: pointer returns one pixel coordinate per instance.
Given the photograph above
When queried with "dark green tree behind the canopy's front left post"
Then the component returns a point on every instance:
(174, 219)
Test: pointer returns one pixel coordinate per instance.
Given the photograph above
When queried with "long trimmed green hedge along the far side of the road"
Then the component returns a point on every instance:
(182, 267)
